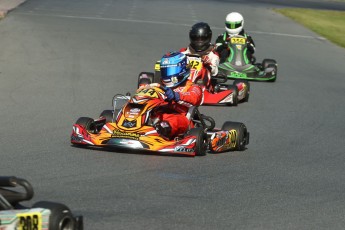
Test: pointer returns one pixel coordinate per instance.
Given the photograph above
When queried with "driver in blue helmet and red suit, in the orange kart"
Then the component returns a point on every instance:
(179, 90)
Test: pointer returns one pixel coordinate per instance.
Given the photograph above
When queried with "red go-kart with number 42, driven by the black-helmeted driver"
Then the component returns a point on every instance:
(215, 91)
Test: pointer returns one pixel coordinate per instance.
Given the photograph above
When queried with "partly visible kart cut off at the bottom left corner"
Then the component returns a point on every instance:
(42, 215)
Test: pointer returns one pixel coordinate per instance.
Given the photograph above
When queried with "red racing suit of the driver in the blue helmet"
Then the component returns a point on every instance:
(173, 120)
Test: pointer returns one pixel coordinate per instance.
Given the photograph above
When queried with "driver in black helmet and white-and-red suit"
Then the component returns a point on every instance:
(200, 37)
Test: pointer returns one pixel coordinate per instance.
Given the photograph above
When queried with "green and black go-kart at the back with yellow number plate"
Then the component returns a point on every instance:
(238, 66)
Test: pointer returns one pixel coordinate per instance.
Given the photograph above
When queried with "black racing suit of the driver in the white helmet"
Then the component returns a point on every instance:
(223, 50)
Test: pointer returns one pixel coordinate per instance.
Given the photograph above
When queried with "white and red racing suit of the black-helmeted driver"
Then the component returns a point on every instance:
(210, 60)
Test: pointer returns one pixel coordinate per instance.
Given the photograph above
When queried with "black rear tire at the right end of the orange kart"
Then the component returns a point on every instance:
(242, 138)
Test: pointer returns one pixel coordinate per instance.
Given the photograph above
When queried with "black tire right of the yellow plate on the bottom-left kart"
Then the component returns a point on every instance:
(60, 218)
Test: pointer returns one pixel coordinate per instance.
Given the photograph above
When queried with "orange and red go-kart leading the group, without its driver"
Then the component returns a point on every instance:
(130, 125)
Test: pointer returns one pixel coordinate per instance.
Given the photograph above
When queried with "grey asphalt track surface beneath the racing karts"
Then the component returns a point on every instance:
(64, 59)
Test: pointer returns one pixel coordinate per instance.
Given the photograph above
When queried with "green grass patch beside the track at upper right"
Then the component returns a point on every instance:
(328, 23)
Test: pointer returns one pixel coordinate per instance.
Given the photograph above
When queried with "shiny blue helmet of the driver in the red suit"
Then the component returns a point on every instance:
(174, 69)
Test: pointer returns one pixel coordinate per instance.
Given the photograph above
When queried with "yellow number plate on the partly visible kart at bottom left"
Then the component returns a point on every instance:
(32, 220)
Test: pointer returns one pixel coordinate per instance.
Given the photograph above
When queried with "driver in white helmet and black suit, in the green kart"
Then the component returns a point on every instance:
(234, 23)
